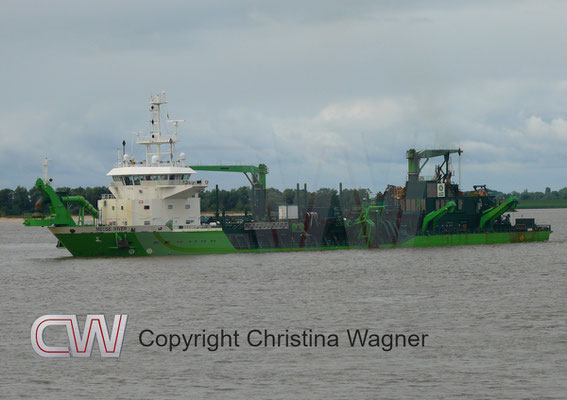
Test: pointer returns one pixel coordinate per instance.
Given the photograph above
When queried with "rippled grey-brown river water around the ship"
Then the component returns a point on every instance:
(495, 317)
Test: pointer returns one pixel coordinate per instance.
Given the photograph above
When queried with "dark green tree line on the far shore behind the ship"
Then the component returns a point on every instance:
(19, 201)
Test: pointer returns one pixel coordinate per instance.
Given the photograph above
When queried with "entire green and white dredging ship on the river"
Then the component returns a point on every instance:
(154, 209)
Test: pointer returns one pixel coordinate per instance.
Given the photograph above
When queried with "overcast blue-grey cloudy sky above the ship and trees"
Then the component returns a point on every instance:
(320, 91)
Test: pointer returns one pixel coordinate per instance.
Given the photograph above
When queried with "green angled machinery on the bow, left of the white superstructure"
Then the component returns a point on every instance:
(59, 208)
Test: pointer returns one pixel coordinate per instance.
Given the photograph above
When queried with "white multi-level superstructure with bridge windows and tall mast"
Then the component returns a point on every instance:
(157, 190)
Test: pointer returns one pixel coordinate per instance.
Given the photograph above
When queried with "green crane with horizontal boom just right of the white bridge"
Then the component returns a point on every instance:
(256, 175)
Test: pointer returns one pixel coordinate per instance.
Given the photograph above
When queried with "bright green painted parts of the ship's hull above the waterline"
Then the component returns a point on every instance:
(154, 243)
